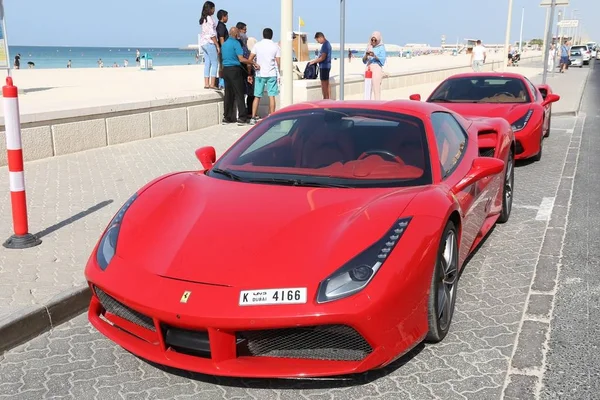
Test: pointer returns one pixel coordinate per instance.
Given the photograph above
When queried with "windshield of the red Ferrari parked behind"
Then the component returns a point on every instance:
(484, 89)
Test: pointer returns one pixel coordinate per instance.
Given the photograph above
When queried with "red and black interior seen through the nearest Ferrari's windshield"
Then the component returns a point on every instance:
(351, 147)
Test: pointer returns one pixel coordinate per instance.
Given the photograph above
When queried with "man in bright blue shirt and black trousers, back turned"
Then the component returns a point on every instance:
(234, 76)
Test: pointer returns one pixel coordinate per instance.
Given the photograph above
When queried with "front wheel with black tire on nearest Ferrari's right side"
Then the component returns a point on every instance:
(444, 282)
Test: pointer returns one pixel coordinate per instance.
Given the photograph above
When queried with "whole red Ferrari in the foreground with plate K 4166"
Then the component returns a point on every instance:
(327, 240)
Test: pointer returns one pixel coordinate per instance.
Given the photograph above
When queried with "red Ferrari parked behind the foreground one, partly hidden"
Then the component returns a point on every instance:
(512, 96)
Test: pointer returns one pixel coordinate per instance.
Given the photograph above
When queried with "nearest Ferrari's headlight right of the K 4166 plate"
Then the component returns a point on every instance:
(356, 274)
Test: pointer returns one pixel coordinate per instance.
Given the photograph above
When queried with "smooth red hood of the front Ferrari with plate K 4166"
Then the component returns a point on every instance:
(202, 229)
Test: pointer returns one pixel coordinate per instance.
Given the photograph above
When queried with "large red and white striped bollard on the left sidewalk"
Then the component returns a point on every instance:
(12, 124)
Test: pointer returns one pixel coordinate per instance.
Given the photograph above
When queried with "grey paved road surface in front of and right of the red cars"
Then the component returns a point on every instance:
(498, 346)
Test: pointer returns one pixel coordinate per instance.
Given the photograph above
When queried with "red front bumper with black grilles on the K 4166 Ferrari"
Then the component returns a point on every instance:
(210, 334)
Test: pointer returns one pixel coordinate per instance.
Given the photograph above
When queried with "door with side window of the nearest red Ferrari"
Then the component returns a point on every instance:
(456, 156)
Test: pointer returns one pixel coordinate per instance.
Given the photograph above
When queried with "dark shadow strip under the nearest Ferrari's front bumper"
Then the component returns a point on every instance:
(297, 383)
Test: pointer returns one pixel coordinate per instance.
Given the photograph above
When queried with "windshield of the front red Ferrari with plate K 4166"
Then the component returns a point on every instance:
(333, 147)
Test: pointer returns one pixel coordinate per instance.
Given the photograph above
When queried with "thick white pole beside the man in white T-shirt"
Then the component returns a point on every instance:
(287, 52)
